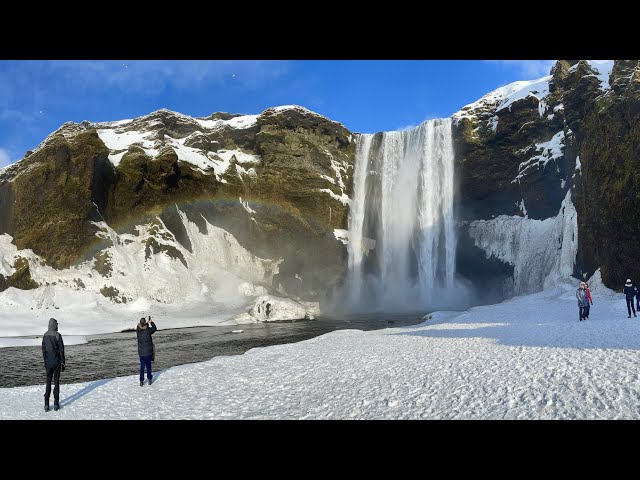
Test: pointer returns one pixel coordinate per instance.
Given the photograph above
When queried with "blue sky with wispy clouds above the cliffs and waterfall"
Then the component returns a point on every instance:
(36, 97)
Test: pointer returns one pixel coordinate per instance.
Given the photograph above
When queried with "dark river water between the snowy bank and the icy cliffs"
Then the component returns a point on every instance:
(116, 354)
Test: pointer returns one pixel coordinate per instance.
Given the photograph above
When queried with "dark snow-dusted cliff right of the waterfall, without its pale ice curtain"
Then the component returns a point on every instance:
(523, 148)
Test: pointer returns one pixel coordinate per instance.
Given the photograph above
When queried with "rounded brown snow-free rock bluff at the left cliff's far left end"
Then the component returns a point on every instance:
(53, 192)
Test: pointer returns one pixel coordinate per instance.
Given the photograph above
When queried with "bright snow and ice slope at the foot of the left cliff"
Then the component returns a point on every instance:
(208, 286)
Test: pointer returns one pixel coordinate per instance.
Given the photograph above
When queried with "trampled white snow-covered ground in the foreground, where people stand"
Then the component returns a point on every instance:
(528, 357)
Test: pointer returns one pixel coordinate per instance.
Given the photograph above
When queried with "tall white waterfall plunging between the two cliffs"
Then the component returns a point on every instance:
(401, 223)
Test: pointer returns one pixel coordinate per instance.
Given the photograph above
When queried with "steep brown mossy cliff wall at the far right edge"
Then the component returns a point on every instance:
(608, 191)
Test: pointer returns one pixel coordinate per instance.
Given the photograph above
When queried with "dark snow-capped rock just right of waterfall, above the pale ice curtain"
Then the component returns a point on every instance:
(510, 147)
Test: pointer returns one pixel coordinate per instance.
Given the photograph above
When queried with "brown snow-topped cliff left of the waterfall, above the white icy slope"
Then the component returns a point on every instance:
(277, 182)
